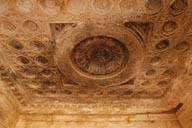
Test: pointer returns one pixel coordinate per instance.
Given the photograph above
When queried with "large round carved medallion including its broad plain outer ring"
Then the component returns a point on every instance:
(99, 57)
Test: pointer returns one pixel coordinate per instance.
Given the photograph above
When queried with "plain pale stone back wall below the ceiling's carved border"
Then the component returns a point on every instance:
(97, 121)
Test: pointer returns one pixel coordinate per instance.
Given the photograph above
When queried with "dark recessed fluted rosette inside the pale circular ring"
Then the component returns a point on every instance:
(100, 55)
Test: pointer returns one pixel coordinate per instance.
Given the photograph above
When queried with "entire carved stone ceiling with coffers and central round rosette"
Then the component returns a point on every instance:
(96, 56)
